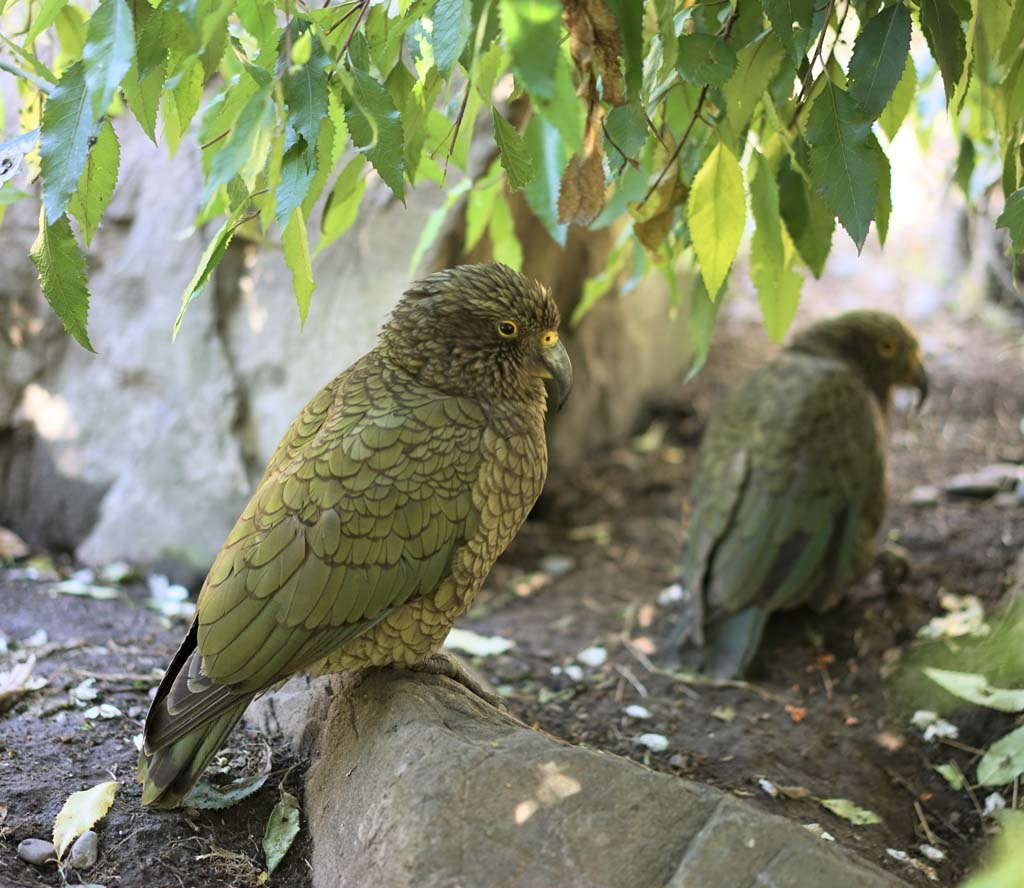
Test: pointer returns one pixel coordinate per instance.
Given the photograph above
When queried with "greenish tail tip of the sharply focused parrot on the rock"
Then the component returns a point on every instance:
(169, 773)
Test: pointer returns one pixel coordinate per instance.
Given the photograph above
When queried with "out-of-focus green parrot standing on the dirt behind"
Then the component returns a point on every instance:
(791, 485)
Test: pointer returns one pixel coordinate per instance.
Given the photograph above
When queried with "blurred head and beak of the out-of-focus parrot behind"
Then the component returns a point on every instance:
(878, 346)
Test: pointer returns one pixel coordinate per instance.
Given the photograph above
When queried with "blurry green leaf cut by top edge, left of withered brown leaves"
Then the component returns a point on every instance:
(533, 34)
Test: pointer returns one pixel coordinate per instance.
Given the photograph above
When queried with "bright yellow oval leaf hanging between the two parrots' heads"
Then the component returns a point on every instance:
(716, 214)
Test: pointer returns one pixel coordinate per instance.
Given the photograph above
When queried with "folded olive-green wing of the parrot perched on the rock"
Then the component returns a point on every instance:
(361, 510)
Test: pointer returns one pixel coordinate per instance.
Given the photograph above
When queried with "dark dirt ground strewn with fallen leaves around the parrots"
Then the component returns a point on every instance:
(826, 714)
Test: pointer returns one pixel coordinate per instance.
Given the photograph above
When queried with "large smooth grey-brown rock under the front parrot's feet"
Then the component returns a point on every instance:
(414, 782)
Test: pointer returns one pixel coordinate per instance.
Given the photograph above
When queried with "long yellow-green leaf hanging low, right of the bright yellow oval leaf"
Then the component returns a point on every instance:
(778, 286)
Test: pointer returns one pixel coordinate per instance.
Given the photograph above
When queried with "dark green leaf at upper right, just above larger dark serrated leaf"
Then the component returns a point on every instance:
(880, 57)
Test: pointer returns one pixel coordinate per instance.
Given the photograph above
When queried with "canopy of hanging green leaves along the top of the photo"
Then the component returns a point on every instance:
(684, 123)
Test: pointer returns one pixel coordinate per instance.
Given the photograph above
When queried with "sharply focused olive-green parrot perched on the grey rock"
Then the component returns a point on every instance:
(379, 516)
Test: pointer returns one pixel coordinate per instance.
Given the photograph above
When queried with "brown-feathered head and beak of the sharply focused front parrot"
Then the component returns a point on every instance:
(481, 331)
